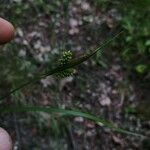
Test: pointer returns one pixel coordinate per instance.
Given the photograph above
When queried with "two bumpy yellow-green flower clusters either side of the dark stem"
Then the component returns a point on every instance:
(66, 58)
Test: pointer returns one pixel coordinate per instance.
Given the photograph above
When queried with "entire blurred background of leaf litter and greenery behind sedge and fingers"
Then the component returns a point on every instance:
(114, 86)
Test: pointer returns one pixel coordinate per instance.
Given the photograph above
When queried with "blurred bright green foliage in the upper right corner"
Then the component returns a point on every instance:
(135, 41)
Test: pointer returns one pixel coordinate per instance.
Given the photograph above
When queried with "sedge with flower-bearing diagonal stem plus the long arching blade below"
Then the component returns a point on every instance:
(65, 68)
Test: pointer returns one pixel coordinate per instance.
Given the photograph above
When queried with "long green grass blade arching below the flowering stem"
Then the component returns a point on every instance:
(65, 112)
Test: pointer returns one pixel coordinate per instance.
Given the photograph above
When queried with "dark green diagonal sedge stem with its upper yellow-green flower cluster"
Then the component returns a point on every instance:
(61, 68)
